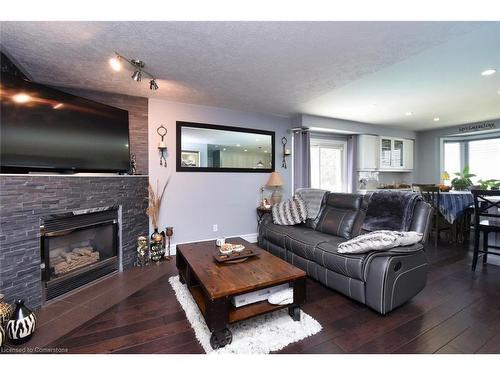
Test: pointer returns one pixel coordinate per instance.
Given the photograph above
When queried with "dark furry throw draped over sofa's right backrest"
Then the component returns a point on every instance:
(390, 210)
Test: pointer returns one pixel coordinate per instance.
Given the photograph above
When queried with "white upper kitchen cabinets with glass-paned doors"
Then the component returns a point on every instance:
(385, 154)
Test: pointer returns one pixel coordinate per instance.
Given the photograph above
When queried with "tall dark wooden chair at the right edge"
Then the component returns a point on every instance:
(486, 220)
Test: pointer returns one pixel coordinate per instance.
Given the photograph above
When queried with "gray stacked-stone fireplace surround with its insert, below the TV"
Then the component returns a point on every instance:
(58, 232)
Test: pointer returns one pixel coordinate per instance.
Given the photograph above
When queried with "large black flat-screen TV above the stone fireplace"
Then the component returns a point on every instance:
(45, 129)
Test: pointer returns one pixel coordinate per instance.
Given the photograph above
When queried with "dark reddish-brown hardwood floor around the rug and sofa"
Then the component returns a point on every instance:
(457, 312)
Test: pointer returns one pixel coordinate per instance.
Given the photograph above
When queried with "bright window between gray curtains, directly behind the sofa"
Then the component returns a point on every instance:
(328, 165)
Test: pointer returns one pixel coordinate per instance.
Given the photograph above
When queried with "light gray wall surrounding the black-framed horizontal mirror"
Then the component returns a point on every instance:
(195, 201)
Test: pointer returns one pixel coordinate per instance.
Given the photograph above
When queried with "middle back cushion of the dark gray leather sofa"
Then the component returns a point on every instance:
(340, 213)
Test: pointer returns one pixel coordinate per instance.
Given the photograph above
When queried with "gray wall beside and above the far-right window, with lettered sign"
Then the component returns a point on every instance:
(427, 150)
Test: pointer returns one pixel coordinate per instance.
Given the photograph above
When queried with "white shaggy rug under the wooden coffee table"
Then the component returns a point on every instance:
(259, 335)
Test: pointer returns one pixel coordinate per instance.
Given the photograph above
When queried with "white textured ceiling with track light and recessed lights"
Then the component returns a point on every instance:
(335, 69)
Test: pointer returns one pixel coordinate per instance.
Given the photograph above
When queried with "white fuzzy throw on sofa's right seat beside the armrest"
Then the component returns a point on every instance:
(380, 240)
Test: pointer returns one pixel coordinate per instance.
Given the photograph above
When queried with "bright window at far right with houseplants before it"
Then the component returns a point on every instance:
(481, 155)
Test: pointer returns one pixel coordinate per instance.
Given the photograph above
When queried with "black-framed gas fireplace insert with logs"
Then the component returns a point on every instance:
(77, 248)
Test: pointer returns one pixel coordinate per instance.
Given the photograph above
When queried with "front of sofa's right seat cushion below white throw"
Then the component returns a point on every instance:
(351, 265)
